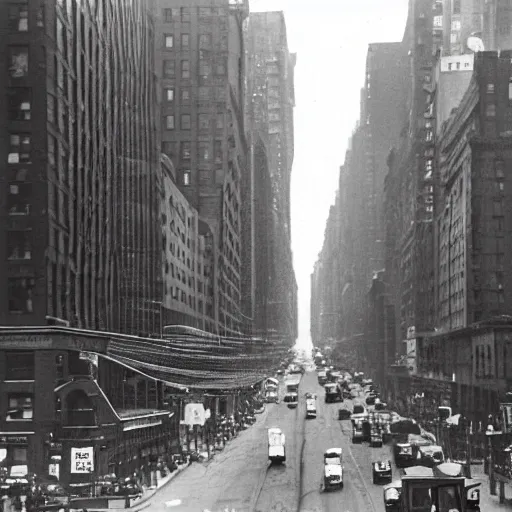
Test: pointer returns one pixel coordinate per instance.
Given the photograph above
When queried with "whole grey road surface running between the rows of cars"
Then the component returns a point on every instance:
(240, 478)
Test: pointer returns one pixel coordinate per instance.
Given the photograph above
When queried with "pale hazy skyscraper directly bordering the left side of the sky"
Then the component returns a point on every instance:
(271, 97)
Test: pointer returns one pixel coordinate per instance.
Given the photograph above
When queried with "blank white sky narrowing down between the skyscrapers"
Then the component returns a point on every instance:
(330, 38)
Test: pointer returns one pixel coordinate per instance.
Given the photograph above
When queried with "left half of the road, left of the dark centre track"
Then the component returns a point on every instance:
(240, 477)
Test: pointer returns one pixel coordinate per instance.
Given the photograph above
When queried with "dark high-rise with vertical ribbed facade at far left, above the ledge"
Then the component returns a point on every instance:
(79, 209)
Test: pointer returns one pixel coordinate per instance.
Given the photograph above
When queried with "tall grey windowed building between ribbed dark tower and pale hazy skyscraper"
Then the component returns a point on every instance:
(199, 58)
